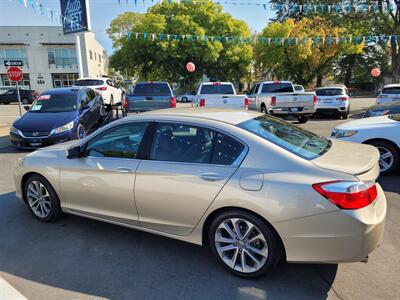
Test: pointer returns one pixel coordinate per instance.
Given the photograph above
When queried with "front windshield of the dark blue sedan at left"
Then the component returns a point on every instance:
(54, 103)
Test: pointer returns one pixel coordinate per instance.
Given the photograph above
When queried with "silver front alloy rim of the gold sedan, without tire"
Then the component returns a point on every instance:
(38, 199)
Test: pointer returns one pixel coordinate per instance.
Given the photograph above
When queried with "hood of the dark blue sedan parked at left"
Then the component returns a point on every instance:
(44, 121)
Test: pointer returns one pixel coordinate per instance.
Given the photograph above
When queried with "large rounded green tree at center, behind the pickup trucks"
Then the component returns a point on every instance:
(157, 57)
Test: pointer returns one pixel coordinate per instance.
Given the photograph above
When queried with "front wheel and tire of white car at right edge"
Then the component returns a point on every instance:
(392, 159)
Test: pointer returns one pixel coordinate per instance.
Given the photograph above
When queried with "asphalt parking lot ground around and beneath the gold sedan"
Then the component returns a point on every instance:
(77, 258)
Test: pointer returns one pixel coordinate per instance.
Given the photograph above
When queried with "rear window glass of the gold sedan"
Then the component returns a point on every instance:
(290, 137)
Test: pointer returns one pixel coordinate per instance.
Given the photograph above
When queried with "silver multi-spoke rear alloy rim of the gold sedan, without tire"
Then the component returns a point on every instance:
(241, 245)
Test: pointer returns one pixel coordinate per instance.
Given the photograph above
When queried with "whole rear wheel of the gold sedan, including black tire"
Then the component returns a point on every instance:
(265, 248)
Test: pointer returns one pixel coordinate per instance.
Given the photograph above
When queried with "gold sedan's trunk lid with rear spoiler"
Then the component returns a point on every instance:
(348, 157)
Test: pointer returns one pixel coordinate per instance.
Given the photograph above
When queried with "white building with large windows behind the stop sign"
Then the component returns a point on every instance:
(49, 57)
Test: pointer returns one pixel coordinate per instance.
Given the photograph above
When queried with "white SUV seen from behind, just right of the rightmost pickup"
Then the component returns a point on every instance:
(333, 100)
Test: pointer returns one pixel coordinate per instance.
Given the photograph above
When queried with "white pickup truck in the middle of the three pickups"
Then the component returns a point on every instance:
(220, 95)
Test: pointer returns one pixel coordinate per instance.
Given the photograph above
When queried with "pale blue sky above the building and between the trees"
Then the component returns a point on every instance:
(102, 12)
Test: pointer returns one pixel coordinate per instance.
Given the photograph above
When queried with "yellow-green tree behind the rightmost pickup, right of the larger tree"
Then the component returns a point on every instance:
(302, 63)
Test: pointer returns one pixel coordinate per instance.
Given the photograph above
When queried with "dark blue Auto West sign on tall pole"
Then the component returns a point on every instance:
(74, 16)
